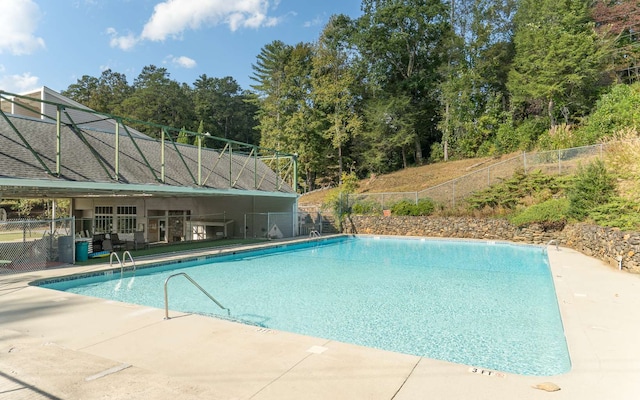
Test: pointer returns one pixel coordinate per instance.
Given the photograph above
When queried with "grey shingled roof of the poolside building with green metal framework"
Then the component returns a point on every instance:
(88, 161)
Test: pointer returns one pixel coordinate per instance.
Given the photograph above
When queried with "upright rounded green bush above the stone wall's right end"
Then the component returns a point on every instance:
(593, 186)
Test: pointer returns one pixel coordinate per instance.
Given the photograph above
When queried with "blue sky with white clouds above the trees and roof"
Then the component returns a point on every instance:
(55, 42)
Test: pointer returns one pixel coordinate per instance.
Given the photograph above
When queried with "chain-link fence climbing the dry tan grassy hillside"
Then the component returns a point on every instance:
(452, 193)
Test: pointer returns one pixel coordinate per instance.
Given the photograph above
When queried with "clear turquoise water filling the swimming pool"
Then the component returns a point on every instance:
(489, 305)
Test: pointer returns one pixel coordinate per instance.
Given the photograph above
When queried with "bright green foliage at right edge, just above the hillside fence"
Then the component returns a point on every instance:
(617, 110)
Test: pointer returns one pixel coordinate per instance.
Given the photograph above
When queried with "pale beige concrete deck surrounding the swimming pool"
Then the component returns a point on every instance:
(56, 345)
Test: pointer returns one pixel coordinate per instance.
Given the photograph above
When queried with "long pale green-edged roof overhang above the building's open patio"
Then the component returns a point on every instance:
(39, 188)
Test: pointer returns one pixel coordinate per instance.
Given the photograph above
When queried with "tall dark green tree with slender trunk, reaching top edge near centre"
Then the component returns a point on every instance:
(401, 44)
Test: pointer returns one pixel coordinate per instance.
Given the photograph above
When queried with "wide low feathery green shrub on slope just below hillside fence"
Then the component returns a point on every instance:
(512, 192)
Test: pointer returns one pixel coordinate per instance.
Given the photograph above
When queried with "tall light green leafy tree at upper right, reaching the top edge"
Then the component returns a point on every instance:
(558, 59)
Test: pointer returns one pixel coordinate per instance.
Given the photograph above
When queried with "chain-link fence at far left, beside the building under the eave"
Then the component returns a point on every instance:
(30, 245)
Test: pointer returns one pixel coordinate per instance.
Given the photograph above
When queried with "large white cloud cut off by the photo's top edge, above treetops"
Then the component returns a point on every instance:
(172, 17)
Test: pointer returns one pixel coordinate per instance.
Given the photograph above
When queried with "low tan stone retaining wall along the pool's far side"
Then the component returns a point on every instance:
(606, 244)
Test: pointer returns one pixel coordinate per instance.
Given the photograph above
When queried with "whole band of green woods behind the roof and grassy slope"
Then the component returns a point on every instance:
(410, 81)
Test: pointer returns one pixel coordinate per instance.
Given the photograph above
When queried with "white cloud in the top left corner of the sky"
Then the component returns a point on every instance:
(19, 20)
